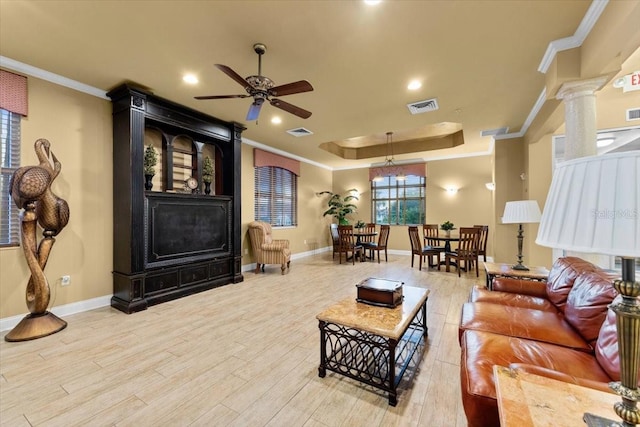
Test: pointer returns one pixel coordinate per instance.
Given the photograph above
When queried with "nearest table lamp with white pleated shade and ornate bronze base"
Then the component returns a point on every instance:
(593, 206)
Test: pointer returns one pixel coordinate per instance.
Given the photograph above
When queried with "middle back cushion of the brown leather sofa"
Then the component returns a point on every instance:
(587, 304)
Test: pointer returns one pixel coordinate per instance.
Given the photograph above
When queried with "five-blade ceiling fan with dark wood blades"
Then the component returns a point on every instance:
(262, 88)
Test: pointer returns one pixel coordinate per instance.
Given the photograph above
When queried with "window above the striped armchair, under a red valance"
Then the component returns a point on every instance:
(276, 196)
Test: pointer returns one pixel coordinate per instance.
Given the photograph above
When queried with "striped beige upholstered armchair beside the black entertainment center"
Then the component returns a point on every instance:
(266, 249)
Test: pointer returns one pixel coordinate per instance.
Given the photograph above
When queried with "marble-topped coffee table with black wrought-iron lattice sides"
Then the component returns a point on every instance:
(371, 344)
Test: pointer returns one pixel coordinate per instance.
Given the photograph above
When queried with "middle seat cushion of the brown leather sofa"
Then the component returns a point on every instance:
(520, 322)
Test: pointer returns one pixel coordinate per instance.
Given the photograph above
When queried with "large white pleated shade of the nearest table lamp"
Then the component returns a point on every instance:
(593, 206)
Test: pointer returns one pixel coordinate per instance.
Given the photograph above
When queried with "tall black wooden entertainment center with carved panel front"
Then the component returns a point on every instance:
(170, 242)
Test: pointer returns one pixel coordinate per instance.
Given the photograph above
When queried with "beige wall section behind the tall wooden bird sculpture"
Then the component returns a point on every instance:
(79, 129)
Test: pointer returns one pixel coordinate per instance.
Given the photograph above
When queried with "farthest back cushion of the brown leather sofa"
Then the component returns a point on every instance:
(562, 275)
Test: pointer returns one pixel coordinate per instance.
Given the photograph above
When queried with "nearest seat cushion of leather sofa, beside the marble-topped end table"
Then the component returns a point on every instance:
(481, 350)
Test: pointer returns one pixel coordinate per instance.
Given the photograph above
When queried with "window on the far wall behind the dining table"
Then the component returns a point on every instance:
(399, 202)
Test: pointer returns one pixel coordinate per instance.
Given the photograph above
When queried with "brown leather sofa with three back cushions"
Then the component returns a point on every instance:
(562, 329)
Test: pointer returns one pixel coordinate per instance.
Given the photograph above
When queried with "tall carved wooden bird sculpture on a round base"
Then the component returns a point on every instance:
(30, 188)
